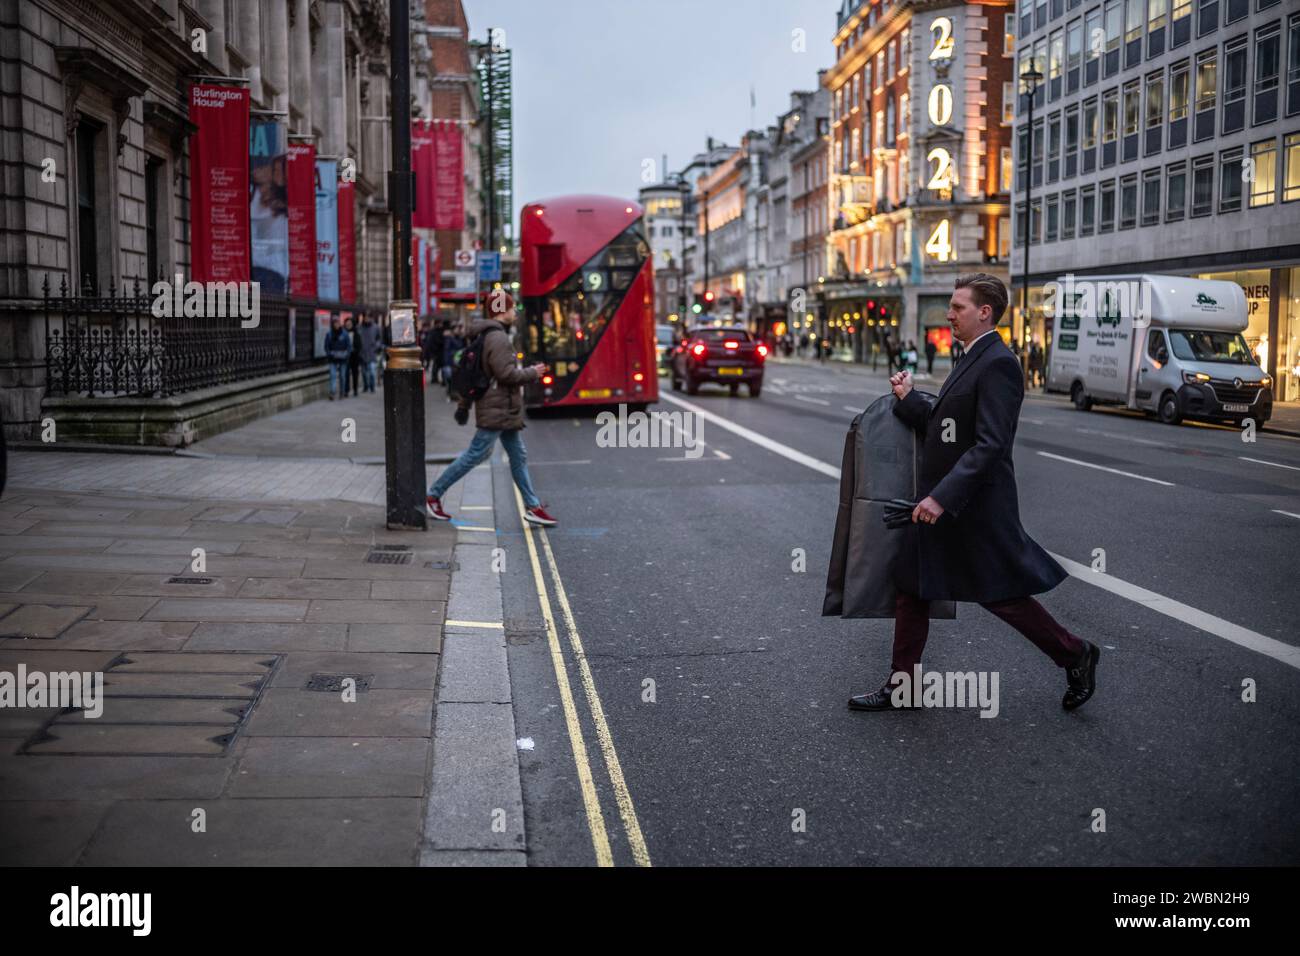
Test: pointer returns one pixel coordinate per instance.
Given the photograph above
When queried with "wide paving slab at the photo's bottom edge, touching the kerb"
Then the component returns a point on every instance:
(376, 832)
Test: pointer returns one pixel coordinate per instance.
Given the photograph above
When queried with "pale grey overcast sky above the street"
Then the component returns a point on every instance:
(603, 85)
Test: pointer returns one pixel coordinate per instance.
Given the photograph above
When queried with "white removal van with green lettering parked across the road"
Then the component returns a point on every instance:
(1167, 345)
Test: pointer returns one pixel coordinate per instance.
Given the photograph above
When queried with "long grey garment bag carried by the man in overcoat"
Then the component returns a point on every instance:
(882, 461)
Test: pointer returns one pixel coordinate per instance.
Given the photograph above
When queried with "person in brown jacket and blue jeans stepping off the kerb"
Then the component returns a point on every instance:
(499, 413)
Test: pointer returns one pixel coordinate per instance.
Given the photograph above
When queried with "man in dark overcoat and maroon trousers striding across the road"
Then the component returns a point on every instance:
(967, 542)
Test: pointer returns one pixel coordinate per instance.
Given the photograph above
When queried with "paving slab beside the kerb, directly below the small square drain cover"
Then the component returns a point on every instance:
(284, 712)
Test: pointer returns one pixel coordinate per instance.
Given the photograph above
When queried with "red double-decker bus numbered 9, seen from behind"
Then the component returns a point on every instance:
(588, 291)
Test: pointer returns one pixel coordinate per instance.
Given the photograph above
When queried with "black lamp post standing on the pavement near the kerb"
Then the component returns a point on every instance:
(404, 377)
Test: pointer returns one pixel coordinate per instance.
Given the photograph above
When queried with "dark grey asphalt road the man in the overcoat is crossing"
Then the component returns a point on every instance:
(682, 572)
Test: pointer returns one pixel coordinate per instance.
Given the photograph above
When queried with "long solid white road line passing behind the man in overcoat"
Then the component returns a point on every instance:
(1168, 607)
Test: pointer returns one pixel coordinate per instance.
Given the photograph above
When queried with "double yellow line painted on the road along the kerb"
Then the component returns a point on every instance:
(592, 803)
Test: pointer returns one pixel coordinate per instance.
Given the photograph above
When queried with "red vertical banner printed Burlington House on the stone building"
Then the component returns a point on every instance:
(219, 184)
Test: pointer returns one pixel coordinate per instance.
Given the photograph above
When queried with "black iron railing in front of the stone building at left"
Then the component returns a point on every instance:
(116, 347)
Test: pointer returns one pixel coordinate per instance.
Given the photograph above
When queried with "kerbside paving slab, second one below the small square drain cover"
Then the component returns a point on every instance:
(331, 768)
